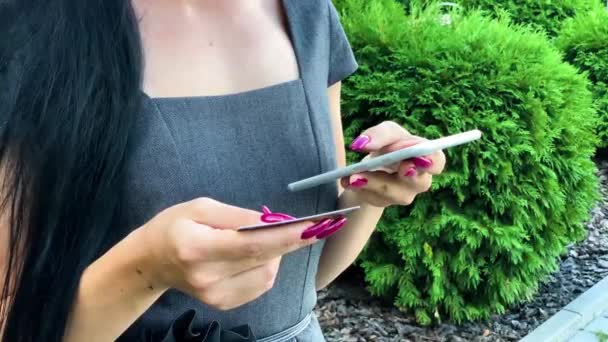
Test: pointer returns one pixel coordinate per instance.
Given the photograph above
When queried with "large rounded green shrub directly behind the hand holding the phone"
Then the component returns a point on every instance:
(498, 219)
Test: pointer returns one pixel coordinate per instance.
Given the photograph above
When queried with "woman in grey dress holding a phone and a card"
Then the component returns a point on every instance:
(138, 135)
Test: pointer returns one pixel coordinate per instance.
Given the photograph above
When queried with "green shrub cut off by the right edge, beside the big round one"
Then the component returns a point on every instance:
(584, 41)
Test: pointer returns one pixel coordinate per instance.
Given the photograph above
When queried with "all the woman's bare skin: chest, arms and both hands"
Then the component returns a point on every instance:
(193, 246)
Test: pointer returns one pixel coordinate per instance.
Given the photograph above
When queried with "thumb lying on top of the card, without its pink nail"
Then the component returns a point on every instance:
(217, 214)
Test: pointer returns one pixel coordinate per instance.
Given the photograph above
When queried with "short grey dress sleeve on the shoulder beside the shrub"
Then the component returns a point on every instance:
(342, 62)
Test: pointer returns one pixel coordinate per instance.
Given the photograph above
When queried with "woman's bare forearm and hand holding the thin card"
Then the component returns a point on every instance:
(174, 250)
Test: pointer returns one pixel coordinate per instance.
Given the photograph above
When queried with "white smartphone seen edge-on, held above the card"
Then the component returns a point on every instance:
(419, 150)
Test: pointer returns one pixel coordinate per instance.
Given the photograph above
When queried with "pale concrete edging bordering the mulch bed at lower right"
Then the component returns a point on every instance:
(575, 316)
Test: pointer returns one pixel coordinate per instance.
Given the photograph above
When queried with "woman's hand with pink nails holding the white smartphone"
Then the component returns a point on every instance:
(400, 183)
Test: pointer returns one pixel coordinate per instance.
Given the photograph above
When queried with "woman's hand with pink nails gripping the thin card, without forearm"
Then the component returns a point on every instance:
(195, 248)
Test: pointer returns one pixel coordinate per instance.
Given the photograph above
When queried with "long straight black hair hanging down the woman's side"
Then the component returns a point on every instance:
(71, 76)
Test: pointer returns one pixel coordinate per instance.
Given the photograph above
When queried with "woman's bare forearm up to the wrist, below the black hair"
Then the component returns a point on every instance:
(114, 291)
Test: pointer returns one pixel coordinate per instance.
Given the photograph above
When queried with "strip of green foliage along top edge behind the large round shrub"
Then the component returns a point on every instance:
(545, 15)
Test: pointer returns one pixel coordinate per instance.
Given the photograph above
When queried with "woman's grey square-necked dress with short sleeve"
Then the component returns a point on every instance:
(243, 149)
